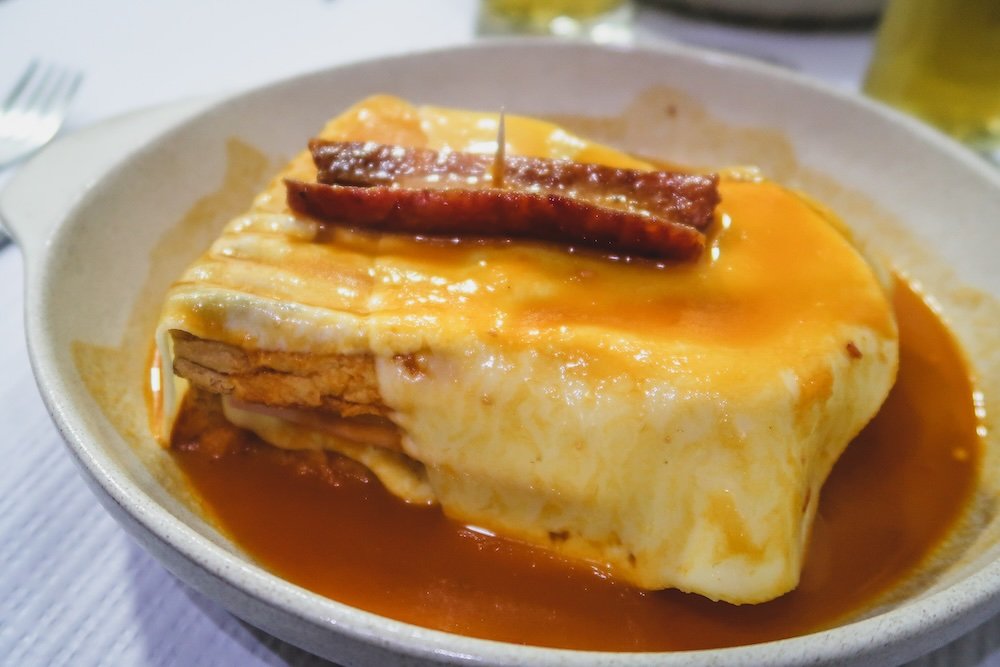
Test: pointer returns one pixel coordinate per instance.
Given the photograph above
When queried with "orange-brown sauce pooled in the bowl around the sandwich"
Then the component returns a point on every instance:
(323, 523)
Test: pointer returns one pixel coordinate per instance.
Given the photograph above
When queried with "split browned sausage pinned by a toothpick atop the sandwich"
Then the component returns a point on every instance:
(653, 214)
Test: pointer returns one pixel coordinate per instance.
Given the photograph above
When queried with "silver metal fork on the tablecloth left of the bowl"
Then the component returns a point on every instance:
(33, 112)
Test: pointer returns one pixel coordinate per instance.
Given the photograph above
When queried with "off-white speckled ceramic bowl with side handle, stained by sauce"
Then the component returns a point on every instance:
(110, 216)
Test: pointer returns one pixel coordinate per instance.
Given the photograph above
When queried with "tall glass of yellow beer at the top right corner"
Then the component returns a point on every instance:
(940, 60)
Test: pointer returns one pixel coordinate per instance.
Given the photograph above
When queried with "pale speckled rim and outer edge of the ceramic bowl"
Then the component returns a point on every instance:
(903, 631)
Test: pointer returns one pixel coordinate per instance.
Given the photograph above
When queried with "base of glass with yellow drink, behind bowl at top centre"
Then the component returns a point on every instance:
(604, 21)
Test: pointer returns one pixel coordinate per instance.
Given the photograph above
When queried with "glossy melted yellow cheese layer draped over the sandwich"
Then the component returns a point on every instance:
(672, 422)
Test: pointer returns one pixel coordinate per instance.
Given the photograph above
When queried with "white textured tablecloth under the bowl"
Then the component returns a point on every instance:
(74, 589)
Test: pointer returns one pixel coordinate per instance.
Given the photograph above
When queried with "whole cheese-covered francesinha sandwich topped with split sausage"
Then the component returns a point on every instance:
(650, 370)
